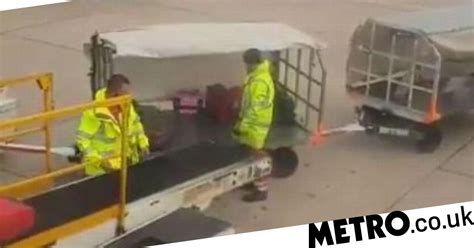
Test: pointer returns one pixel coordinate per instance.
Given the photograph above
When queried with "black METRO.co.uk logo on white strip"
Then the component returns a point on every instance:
(375, 226)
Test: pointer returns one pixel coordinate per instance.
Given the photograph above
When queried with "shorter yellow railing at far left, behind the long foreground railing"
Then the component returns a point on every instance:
(45, 83)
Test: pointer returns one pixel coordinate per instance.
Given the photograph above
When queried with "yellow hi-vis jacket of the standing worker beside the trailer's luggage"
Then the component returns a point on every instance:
(256, 109)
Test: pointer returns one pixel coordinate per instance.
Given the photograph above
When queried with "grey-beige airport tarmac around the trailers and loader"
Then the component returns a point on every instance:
(349, 175)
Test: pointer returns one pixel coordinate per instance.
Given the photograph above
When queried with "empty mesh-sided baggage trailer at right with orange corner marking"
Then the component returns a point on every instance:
(407, 72)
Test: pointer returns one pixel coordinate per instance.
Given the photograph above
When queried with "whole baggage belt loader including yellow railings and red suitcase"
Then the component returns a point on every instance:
(96, 209)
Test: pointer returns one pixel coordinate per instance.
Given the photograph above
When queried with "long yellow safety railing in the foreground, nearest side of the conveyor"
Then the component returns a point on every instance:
(23, 187)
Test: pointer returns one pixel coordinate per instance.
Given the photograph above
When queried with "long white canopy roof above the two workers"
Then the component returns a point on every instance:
(176, 40)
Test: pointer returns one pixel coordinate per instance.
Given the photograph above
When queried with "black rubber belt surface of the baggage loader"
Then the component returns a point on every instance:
(90, 195)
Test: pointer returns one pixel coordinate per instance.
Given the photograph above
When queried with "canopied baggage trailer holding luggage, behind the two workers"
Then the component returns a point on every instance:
(296, 57)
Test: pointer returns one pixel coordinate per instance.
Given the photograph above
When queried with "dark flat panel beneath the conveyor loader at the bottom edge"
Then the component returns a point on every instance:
(181, 225)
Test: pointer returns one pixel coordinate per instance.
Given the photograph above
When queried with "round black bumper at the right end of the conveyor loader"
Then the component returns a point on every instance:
(284, 162)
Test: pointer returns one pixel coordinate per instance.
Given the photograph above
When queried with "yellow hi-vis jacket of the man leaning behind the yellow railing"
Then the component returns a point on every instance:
(99, 137)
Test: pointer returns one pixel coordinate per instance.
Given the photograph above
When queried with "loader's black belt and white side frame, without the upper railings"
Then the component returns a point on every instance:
(158, 187)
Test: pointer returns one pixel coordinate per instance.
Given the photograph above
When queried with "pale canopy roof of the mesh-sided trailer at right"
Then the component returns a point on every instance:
(451, 29)
